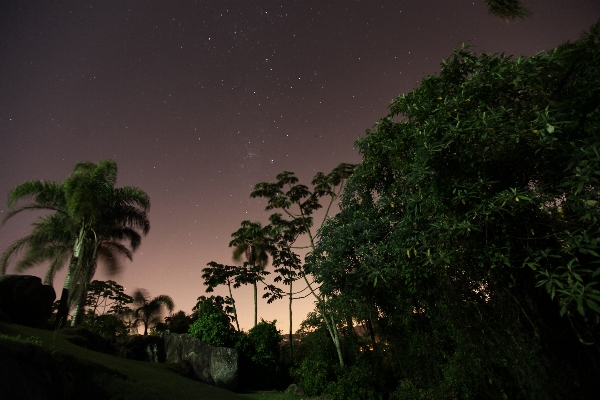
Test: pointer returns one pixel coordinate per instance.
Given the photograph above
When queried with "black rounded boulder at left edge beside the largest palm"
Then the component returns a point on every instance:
(24, 300)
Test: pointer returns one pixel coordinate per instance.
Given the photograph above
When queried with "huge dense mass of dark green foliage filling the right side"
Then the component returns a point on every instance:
(472, 226)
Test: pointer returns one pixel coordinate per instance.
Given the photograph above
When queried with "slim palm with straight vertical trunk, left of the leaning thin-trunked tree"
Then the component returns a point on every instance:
(252, 242)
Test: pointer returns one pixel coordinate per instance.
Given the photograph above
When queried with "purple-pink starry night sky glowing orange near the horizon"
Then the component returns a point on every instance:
(197, 101)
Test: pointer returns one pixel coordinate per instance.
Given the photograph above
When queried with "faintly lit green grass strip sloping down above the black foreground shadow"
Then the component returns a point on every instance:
(139, 380)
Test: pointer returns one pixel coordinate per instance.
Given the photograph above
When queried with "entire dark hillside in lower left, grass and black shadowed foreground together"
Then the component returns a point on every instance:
(88, 373)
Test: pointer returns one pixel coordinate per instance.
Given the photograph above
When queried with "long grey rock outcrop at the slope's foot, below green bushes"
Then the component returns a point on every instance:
(217, 366)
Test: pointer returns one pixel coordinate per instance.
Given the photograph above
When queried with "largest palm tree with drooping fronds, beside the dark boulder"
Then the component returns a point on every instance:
(91, 218)
